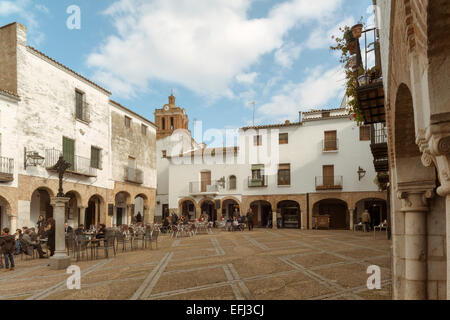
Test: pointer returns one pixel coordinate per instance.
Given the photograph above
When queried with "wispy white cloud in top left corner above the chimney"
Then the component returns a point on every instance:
(22, 9)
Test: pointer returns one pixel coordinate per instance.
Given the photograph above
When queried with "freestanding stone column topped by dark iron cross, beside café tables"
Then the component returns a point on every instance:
(60, 259)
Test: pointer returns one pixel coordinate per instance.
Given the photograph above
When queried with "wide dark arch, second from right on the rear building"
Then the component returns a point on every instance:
(336, 209)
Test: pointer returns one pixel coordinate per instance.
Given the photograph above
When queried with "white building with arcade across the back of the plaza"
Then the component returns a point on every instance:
(319, 166)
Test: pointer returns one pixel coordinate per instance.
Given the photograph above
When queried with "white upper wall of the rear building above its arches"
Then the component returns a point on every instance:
(304, 153)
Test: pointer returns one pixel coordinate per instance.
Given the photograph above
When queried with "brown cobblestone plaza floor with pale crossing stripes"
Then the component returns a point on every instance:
(260, 265)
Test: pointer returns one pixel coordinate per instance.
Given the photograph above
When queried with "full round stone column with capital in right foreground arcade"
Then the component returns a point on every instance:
(415, 207)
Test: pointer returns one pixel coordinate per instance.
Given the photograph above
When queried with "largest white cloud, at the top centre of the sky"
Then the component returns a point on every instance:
(202, 45)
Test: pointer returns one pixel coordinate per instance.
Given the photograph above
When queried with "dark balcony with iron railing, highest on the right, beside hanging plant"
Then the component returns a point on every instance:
(369, 90)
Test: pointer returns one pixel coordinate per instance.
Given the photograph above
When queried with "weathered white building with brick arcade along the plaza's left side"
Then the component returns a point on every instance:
(48, 110)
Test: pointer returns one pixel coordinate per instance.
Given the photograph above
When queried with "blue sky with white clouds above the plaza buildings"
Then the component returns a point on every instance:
(217, 56)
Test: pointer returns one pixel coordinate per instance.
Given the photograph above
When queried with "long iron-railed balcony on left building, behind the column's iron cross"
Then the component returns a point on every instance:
(80, 165)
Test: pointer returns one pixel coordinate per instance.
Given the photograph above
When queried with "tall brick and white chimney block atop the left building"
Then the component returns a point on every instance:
(12, 37)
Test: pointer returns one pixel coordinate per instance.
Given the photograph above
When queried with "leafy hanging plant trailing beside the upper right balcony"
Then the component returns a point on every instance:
(347, 45)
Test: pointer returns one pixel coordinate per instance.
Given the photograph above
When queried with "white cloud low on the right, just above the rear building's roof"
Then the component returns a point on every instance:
(317, 90)
